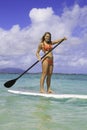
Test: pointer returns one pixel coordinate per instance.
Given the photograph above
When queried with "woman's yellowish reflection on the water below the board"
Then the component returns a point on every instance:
(43, 115)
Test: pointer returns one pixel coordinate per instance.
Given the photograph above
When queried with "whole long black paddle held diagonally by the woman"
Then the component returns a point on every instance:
(10, 83)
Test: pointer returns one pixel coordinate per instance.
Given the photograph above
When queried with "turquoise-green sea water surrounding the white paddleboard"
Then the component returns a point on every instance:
(19, 112)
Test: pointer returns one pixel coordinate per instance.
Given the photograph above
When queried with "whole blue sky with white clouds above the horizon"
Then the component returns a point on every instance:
(23, 23)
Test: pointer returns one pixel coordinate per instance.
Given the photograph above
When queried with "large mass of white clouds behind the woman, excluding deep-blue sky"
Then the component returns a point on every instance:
(18, 46)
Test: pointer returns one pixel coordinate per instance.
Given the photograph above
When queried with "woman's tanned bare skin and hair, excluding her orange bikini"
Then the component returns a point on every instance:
(46, 68)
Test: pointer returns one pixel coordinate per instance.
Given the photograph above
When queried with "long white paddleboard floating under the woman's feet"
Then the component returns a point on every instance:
(57, 96)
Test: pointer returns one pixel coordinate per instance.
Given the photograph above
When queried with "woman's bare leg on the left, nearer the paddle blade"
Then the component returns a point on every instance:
(43, 76)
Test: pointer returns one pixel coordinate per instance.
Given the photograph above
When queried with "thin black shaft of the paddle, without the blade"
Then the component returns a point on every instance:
(41, 58)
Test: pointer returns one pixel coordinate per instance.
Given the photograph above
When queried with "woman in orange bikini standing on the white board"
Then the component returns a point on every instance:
(47, 62)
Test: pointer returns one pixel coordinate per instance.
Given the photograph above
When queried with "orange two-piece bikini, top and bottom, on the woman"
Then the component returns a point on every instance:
(47, 47)
